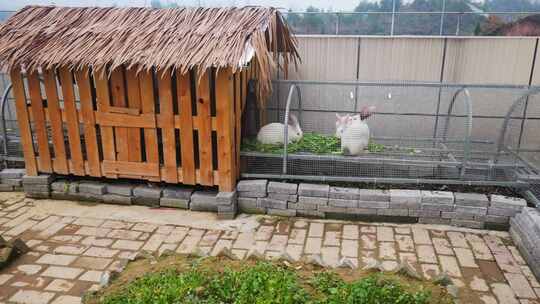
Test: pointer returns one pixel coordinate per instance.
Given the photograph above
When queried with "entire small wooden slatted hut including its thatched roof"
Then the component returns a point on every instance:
(154, 94)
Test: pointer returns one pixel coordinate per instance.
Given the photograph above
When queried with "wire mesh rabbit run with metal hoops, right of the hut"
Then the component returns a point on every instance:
(420, 133)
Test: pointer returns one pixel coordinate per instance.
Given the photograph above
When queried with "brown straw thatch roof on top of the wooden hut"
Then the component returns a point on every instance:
(180, 38)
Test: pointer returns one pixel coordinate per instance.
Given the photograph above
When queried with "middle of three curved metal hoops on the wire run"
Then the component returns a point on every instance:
(467, 140)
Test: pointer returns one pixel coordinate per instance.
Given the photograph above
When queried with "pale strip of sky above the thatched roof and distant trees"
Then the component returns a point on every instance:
(336, 5)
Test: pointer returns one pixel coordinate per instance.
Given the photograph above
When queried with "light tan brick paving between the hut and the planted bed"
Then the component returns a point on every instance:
(74, 244)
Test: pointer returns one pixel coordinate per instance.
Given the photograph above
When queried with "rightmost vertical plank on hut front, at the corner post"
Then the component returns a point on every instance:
(225, 107)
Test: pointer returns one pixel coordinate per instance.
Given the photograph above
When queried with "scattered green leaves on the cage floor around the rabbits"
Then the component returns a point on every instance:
(310, 143)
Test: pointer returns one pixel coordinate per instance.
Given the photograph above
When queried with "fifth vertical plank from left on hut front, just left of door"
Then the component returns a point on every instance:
(87, 111)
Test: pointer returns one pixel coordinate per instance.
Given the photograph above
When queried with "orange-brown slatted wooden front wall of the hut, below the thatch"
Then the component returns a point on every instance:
(152, 125)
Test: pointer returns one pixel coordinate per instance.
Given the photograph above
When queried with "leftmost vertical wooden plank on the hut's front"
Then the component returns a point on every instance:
(23, 122)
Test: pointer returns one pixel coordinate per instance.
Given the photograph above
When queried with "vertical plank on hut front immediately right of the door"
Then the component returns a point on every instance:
(167, 131)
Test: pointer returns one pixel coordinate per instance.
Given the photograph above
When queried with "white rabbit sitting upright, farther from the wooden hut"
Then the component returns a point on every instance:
(355, 137)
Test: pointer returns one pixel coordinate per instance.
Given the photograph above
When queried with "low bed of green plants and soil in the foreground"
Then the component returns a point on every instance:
(214, 281)
